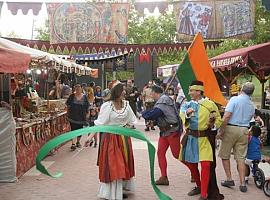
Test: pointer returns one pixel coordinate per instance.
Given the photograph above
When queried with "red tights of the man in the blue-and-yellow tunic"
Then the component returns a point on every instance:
(205, 175)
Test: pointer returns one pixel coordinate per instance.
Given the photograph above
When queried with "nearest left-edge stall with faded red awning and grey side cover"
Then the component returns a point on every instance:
(10, 61)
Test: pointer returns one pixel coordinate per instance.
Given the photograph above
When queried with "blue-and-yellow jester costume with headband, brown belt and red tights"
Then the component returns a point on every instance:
(199, 143)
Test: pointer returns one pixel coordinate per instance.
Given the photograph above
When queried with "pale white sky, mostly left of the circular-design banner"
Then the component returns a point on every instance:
(22, 25)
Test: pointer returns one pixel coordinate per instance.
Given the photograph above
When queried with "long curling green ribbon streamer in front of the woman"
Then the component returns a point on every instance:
(46, 148)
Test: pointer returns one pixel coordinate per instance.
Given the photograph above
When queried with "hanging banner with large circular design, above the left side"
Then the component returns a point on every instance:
(88, 22)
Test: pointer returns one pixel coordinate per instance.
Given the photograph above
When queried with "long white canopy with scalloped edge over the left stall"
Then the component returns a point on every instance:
(41, 56)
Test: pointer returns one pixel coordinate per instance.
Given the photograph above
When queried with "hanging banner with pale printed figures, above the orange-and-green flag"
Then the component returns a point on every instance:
(215, 19)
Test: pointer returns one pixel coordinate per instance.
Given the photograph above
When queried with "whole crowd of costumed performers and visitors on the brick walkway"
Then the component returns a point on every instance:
(189, 128)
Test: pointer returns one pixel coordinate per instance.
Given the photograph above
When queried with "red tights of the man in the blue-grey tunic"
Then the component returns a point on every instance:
(172, 141)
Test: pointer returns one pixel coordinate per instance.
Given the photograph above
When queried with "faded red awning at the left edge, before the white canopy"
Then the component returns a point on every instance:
(13, 61)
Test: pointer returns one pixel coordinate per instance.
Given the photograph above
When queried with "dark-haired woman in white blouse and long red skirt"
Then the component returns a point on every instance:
(115, 160)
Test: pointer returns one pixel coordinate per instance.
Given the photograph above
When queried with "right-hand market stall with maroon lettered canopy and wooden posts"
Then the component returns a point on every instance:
(253, 60)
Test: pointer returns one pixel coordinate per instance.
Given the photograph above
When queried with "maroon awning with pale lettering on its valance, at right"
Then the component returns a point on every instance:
(258, 54)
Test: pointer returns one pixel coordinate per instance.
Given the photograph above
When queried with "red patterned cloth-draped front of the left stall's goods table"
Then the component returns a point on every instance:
(32, 136)
